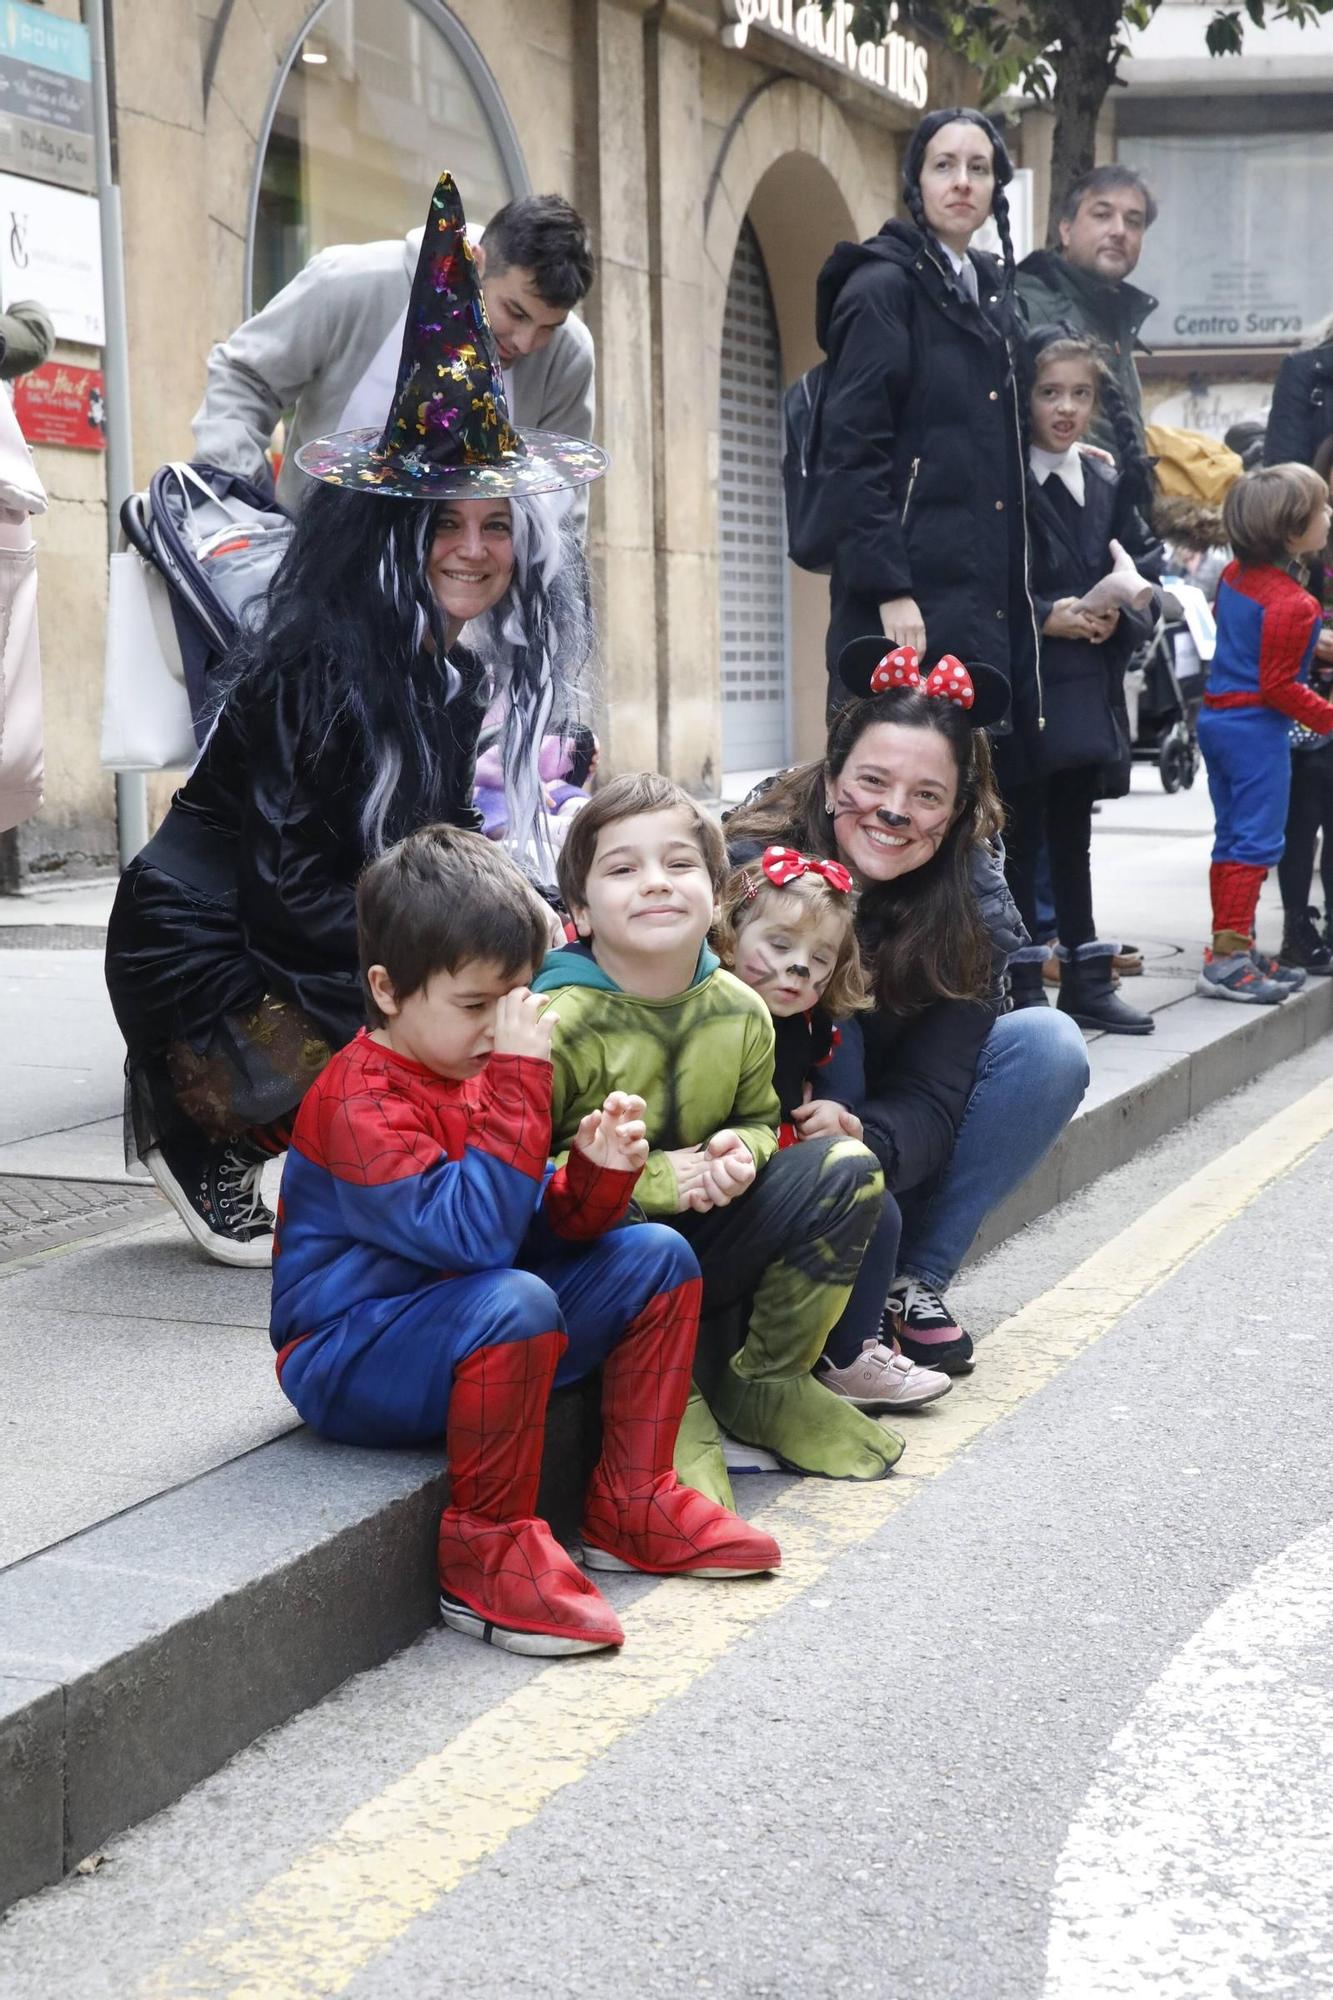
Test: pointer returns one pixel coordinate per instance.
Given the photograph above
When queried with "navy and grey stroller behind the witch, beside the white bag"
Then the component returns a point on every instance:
(215, 541)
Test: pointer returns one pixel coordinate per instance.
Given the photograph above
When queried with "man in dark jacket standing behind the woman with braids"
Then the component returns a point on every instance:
(1084, 287)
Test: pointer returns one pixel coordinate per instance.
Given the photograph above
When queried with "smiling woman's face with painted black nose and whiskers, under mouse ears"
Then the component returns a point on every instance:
(894, 801)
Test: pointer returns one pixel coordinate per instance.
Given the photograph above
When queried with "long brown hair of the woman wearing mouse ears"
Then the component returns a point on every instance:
(924, 937)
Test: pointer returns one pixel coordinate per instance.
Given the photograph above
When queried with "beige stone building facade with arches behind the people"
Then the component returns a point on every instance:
(718, 147)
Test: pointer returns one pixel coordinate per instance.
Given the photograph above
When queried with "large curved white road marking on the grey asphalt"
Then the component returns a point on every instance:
(1202, 1861)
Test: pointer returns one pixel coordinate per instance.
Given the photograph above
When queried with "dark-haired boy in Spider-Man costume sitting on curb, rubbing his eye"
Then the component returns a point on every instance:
(433, 1277)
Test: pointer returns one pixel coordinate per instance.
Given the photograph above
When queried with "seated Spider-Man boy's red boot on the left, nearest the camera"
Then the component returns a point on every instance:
(503, 1575)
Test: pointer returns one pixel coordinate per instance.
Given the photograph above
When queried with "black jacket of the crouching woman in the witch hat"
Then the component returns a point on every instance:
(249, 887)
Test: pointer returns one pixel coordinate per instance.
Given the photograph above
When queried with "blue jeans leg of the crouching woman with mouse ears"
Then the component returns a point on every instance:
(1032, 1075)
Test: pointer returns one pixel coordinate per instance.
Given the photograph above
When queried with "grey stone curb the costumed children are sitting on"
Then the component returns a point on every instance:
(177, 1633)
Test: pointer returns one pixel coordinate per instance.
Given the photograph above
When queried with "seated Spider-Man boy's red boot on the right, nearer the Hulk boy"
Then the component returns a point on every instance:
(637, 1515)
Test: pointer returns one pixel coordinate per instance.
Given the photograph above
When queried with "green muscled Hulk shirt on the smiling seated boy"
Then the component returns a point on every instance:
(702, 1063)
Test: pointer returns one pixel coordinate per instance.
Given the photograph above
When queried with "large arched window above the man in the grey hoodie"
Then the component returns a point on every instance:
(377, 99)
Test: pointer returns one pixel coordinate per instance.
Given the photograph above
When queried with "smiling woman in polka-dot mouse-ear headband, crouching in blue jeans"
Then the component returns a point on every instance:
(958, 1101)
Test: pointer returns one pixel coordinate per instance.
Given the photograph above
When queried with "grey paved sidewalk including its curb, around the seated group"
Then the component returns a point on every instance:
(181, 1567)
